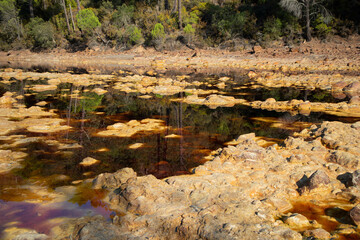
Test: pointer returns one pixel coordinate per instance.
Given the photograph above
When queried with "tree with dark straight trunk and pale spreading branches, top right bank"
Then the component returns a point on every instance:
(308, 9)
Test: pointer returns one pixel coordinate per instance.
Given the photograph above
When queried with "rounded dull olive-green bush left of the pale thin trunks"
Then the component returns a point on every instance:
(41, 33)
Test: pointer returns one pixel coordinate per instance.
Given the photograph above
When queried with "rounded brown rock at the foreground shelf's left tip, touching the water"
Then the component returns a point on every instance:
(113, 180)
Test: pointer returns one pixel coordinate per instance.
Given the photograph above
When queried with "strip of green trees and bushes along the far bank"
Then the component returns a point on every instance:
(74, 25)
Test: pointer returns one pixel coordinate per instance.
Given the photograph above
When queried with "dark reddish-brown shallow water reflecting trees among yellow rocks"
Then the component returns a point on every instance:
(53, 158)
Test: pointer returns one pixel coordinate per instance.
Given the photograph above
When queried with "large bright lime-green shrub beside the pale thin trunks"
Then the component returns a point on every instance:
(87, 21)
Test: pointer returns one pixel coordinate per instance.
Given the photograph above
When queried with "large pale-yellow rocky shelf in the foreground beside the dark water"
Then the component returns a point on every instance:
(243, 192)
